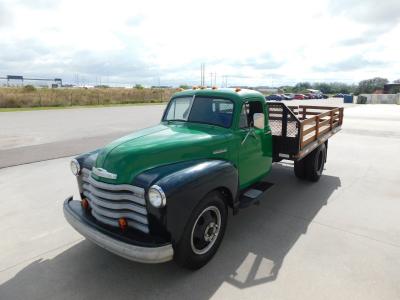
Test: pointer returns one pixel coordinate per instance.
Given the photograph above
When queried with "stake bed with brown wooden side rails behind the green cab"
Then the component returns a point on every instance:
(298, 130)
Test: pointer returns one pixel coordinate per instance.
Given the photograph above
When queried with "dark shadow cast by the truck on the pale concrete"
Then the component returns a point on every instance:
(252, 253)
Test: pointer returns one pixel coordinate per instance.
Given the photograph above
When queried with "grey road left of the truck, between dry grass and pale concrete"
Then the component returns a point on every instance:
(31, 136)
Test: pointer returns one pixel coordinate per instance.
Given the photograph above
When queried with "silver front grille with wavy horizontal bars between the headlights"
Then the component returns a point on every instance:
(109, 202)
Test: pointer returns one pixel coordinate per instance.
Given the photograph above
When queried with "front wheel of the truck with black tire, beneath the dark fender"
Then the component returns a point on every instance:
(185, 250)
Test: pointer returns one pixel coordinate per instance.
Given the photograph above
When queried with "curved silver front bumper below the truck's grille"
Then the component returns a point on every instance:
(129, 251)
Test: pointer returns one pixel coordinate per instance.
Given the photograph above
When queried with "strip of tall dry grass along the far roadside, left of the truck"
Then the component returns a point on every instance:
(23, 98)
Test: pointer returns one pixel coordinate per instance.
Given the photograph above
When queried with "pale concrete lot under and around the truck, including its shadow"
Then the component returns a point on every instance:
(335, 239)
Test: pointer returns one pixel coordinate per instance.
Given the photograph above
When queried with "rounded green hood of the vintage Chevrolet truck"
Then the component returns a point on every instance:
(159, 145)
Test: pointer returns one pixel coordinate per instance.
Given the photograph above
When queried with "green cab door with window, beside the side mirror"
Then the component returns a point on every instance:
(254, 145)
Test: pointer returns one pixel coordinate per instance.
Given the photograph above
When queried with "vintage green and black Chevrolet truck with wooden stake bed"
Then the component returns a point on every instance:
(164, 192)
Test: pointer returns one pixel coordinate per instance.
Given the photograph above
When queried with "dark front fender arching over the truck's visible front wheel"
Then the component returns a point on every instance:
(185, 184)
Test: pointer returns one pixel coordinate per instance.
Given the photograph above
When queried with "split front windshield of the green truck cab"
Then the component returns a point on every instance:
(200, 110)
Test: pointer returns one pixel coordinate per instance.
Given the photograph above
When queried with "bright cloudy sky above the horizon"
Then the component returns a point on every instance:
(251, 42)
